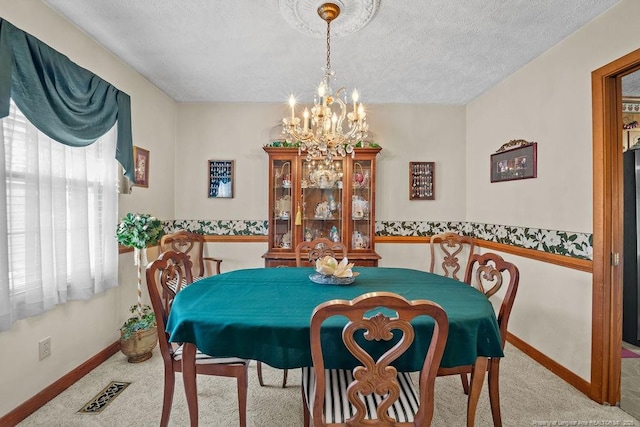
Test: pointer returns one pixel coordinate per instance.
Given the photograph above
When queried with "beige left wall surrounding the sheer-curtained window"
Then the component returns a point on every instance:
(81, 329)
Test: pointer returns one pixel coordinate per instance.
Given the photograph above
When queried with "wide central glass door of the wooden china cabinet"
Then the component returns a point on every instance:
(322, 201)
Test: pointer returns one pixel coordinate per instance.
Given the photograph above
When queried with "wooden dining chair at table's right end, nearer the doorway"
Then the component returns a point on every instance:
(488, 273)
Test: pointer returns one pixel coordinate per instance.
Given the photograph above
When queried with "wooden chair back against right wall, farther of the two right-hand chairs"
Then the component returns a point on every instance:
(450, 253)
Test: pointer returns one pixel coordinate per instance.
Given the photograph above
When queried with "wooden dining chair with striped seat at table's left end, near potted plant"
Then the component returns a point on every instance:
(175, 267)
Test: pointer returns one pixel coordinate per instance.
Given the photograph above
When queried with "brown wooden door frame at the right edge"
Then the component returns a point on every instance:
(606, 340)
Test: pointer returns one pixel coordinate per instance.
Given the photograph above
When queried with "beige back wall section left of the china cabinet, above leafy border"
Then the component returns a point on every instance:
(223, 132)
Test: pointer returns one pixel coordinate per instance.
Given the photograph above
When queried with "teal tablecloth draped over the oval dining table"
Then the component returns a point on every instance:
(264, 314)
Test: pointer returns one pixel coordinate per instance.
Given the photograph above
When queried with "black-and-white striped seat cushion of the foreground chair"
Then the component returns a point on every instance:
(337, 407)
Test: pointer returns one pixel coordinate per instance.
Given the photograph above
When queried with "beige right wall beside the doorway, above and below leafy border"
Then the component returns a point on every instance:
(548, 101)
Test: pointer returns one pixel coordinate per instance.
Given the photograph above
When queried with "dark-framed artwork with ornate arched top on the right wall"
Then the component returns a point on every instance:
(517, 159)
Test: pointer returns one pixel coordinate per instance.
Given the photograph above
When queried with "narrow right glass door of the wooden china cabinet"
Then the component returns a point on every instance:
(361, 197)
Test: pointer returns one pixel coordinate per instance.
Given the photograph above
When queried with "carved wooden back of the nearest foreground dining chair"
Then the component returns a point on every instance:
(376, 375)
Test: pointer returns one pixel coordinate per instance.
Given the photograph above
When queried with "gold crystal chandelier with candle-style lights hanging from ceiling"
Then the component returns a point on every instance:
(320, 131)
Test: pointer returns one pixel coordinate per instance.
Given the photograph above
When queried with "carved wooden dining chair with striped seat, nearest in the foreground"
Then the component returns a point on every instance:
(374, 393)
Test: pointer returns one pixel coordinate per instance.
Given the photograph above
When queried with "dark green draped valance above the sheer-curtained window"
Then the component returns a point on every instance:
(65, 101)
